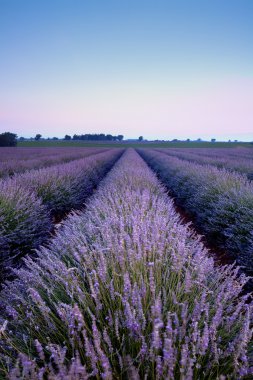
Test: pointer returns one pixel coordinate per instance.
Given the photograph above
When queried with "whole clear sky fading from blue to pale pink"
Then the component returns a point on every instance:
(161, 69)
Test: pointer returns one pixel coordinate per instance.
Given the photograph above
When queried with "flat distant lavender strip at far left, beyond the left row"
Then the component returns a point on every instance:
(13, 162)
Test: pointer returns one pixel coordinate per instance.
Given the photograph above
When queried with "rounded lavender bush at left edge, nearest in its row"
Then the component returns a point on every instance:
(24, 222)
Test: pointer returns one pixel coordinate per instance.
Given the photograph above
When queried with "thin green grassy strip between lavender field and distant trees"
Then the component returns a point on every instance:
(124, 144)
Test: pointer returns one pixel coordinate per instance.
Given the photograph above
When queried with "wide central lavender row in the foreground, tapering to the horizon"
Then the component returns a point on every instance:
(125, 291)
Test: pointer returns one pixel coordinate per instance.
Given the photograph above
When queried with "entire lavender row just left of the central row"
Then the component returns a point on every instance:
(29, 202)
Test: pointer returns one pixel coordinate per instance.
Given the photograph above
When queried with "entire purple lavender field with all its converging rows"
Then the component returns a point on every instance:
(102, 277)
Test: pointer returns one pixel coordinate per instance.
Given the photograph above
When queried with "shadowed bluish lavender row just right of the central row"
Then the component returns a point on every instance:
(220, 201)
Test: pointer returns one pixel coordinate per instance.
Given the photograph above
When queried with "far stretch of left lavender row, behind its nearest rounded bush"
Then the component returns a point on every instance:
(63, 187)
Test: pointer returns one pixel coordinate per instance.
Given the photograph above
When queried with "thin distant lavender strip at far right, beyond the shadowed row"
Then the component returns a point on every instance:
(224, 160)
